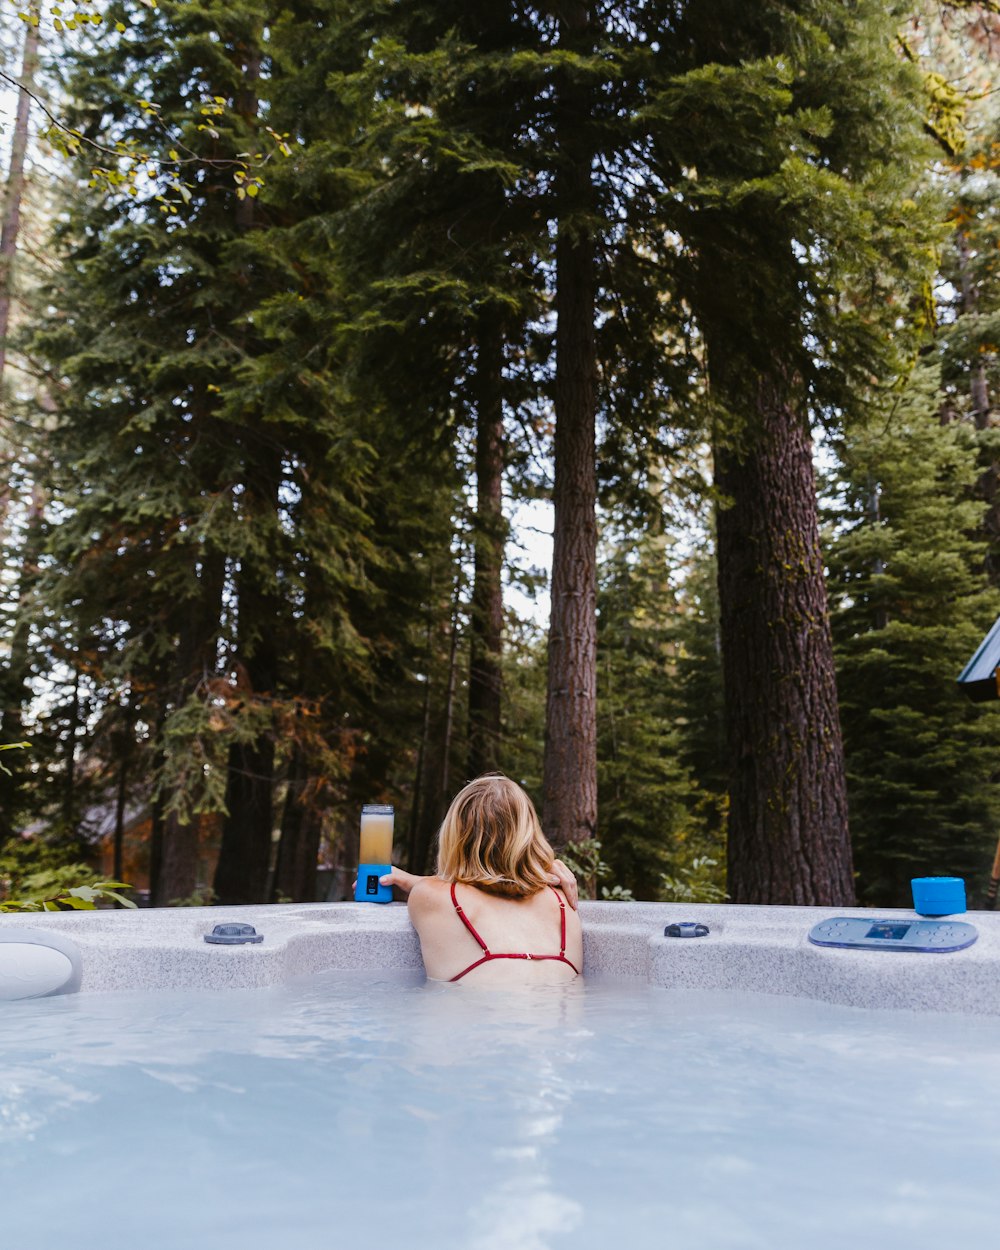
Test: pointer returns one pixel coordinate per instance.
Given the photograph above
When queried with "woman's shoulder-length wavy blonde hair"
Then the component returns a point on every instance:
(492, 839)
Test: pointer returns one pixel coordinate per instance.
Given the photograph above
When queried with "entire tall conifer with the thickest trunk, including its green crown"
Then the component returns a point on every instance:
(786, 139)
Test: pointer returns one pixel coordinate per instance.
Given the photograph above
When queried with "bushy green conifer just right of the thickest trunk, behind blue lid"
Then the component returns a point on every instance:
(911, 606)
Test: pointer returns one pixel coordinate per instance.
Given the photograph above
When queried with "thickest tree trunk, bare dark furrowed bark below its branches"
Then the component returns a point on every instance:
(788, 819)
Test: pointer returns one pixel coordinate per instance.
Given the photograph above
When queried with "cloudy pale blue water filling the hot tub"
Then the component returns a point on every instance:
(381, 1112)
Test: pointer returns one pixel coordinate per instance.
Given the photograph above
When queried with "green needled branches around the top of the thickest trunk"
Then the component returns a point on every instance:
(789, 144)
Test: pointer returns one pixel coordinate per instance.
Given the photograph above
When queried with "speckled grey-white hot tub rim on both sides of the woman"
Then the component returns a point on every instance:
(762, 949)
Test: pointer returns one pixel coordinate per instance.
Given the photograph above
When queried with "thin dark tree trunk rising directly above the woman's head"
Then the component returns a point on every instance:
(486, 681)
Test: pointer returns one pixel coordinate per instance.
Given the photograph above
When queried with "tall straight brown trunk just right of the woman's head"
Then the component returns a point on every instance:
(571, 766)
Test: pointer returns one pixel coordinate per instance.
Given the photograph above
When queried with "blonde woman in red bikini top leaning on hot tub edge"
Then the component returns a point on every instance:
(502, 909)
